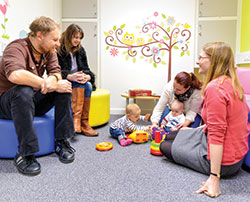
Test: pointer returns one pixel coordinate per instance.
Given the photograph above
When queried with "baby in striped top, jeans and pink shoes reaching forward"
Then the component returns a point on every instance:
(127, 124)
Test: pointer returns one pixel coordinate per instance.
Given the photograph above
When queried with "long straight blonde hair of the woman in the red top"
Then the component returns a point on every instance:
(222, 63)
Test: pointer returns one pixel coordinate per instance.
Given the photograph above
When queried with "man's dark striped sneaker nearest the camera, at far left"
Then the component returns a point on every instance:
(27, 165)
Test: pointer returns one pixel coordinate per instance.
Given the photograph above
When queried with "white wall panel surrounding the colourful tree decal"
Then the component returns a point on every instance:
(118, 74)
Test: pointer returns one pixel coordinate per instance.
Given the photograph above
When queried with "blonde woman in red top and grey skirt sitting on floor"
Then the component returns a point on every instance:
(218, 147)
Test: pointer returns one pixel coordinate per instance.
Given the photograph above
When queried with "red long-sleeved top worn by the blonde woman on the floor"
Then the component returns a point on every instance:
(226, 119)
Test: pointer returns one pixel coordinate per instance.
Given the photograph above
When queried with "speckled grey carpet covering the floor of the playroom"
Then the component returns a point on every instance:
(121, 174)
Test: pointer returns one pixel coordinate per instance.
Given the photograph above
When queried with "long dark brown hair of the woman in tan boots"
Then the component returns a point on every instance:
(66, 38)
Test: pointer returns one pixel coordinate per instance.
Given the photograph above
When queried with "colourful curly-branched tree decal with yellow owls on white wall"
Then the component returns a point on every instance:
(161, 38)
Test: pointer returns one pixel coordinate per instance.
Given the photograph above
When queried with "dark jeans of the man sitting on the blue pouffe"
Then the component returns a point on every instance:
(21, 104)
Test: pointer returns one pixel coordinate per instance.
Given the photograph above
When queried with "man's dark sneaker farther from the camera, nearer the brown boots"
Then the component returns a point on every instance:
(65, 152)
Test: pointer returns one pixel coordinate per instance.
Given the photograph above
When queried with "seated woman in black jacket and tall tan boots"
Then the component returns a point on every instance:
(73, 61)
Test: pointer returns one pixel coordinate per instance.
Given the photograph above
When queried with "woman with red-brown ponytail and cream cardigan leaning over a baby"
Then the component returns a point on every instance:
(186, 88)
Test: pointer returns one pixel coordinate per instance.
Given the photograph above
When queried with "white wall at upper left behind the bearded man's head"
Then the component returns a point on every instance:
(20, 13)
